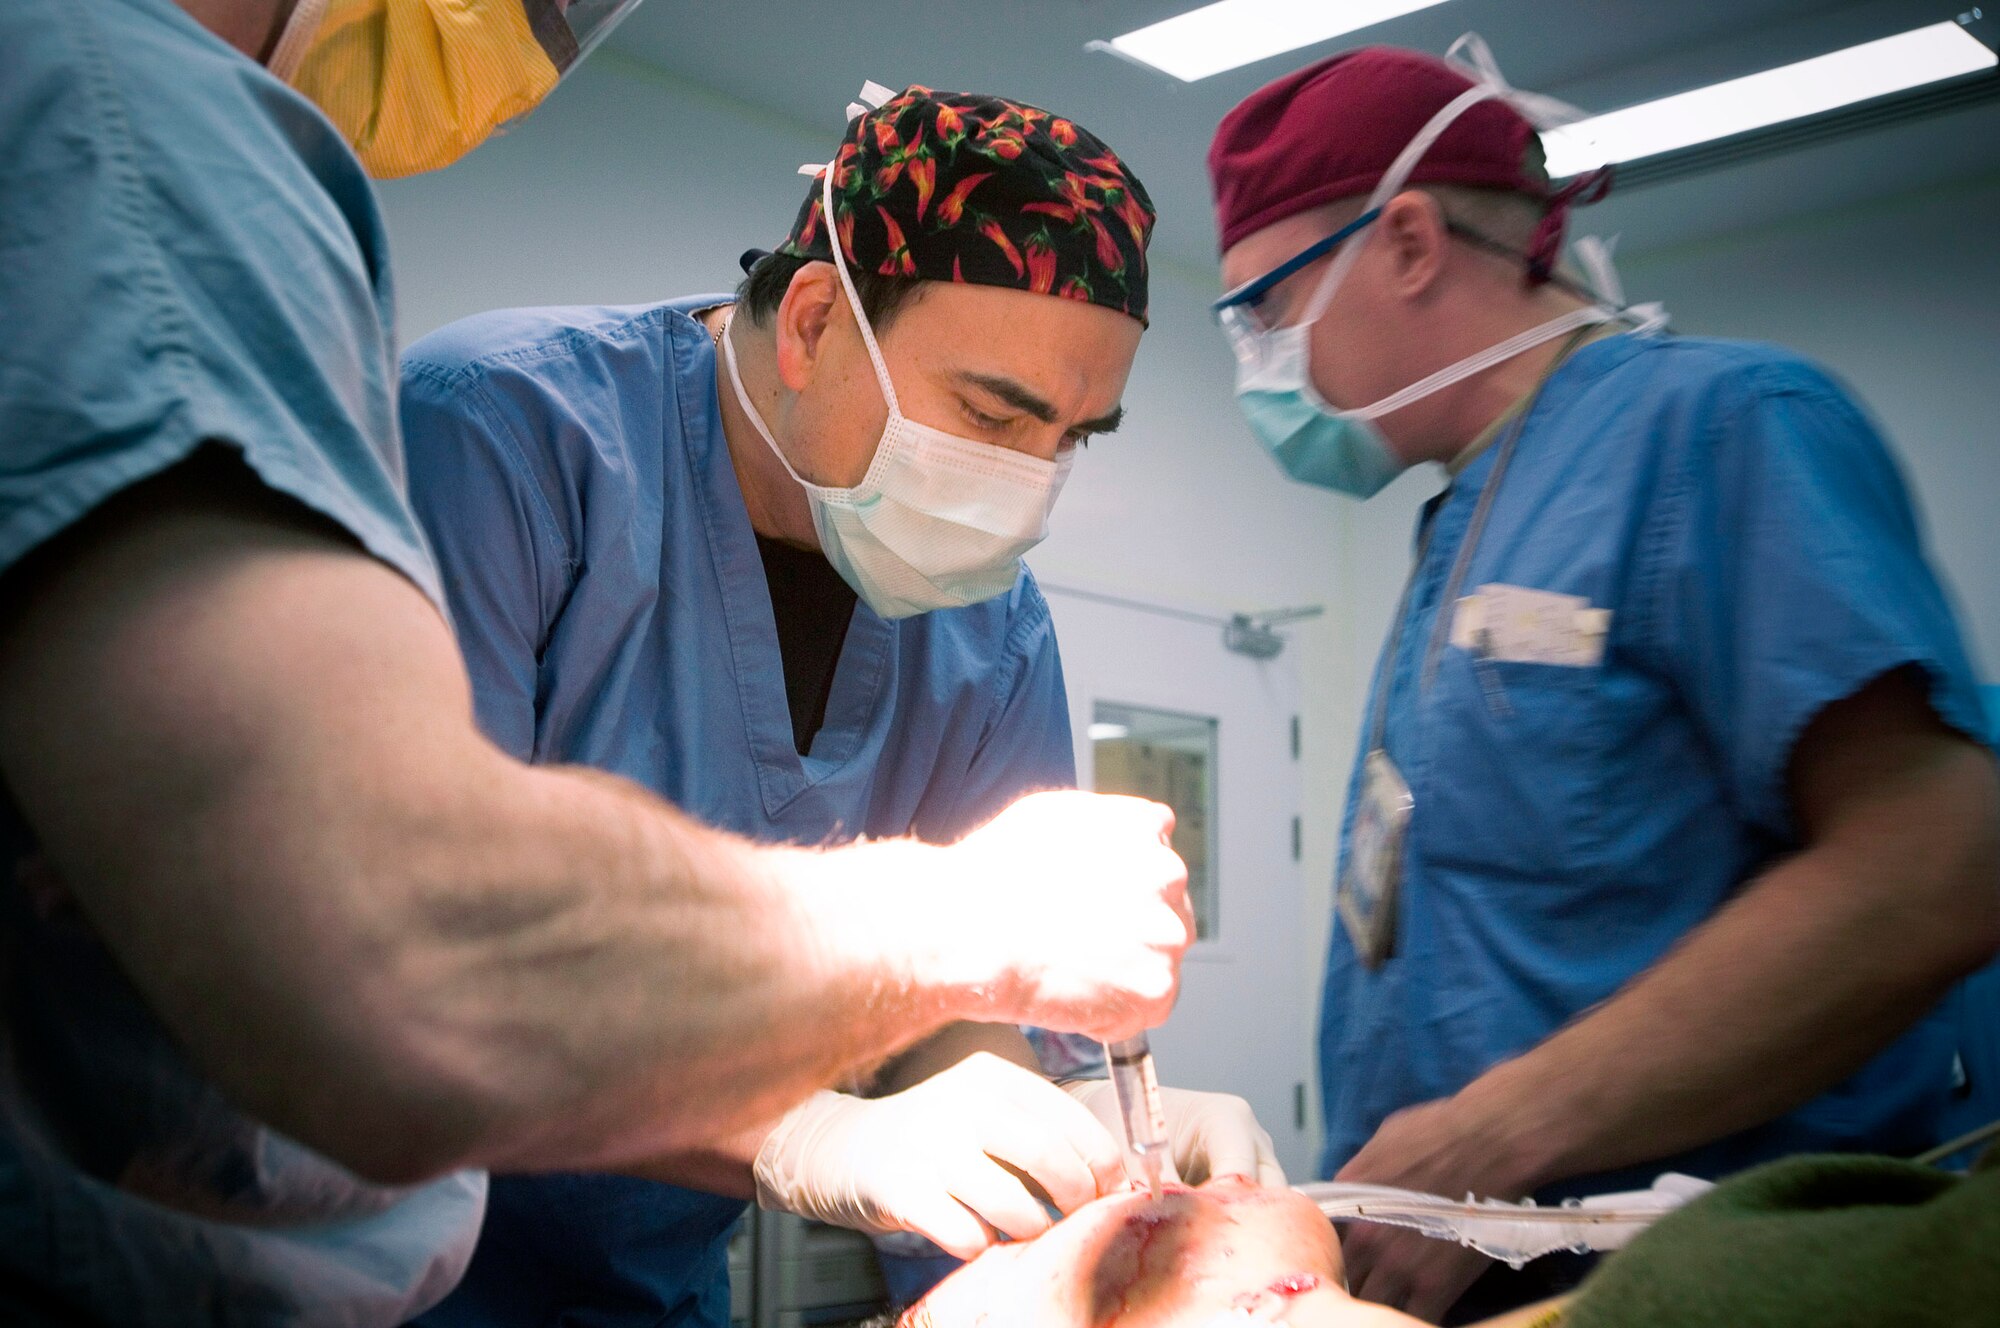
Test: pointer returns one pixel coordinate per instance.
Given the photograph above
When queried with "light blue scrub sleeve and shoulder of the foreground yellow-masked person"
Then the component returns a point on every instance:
(187, 255)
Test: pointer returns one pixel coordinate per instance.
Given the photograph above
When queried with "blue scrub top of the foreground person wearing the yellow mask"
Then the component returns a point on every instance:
(189, 253)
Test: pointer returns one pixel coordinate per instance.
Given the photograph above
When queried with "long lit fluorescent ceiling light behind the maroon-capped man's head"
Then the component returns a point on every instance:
(1759, 101)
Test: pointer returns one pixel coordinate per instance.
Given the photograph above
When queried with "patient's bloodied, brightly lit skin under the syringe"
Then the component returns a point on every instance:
(1137, 1263)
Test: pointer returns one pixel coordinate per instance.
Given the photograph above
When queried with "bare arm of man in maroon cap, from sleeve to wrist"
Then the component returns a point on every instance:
(1809, 973)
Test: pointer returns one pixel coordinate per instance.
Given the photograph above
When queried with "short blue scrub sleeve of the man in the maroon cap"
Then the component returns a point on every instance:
(1795, 575)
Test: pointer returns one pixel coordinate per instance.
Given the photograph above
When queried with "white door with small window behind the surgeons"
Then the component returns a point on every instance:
(1151, 691)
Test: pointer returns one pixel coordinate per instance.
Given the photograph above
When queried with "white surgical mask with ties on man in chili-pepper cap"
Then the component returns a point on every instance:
(939, 521)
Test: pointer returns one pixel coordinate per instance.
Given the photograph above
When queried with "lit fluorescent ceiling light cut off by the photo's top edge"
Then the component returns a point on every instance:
(1231, 33)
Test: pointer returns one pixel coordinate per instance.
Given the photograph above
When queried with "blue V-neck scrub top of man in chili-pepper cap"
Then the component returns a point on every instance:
(611, 601)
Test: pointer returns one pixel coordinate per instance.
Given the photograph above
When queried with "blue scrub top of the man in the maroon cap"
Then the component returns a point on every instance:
(1753, 541)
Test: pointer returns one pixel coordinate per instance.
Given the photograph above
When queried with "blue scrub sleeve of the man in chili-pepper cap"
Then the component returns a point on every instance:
(497, 541)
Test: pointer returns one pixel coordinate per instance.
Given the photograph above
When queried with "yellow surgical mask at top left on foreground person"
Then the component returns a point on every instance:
(415, 85)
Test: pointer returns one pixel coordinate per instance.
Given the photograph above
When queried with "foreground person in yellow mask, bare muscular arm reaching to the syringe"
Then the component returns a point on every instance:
(291, 955)
